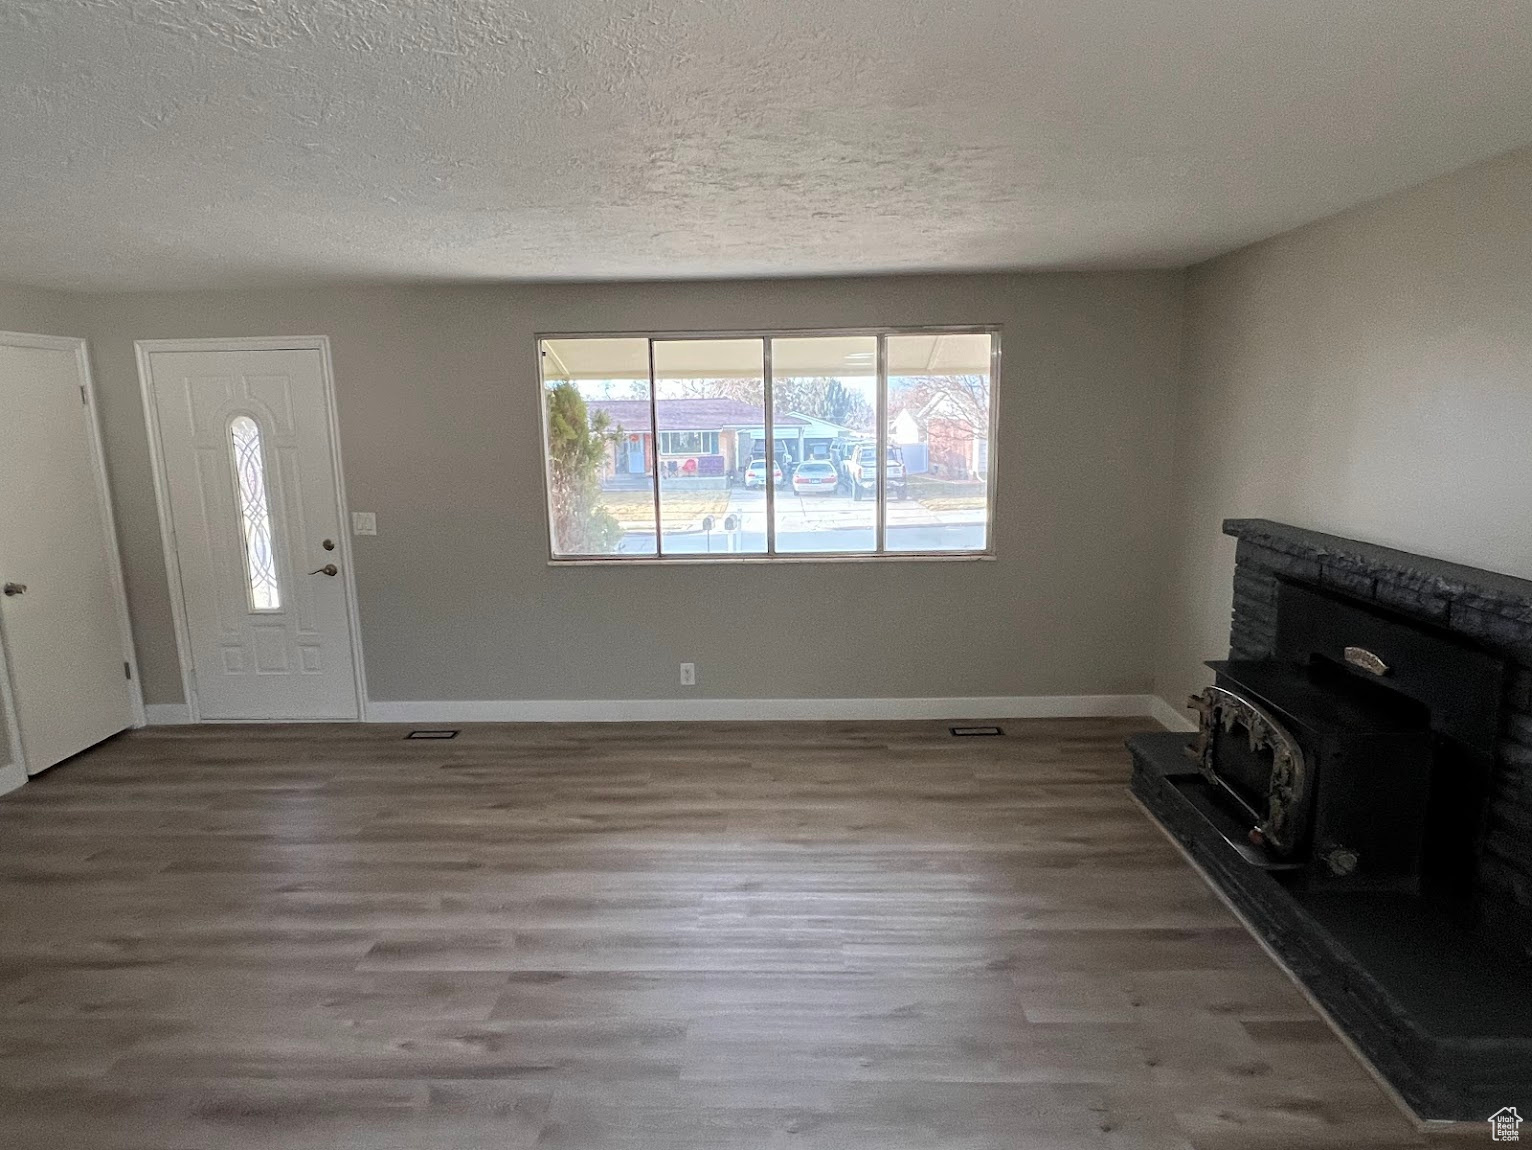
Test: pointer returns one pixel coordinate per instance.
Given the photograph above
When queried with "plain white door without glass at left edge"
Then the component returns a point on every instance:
(65, 621)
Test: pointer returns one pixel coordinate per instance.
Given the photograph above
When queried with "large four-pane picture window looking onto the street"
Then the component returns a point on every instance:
(773, 445)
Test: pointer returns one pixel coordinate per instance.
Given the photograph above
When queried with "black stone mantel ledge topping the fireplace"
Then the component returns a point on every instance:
(1490, 592)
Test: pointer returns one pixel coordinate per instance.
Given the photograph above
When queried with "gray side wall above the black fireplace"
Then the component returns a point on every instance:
(1367, 376)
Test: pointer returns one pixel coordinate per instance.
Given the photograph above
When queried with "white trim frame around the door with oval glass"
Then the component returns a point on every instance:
(168, 534)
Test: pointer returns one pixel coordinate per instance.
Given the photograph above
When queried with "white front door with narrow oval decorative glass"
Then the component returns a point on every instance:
(249, 472)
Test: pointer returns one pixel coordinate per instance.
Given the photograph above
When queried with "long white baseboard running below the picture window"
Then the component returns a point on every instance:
(735, 710)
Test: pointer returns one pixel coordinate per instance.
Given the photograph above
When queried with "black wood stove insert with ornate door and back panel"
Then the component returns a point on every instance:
(1358, 754)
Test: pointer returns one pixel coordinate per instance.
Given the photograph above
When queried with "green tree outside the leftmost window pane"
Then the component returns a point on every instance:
(577, 452)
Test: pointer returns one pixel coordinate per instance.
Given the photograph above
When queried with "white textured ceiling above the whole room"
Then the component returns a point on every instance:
(200, 143)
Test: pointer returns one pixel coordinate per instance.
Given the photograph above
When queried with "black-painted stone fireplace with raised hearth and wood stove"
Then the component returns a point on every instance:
(1426, 969)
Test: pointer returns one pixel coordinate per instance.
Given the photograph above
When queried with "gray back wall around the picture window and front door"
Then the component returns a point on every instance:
(440, 431)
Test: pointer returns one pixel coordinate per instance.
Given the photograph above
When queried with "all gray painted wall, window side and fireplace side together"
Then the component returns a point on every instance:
(1369, 376)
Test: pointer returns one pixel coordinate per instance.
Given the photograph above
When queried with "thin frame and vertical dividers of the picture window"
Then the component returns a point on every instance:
(771, 555)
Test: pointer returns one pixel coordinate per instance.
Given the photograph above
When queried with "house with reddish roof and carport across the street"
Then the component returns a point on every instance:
(707, 437)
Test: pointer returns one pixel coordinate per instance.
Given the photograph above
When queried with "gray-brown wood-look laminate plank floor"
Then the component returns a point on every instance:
(851, 936)
